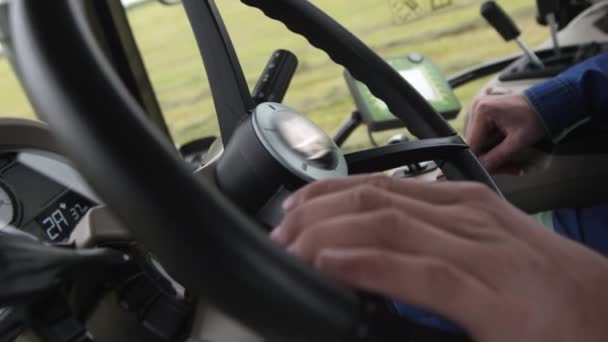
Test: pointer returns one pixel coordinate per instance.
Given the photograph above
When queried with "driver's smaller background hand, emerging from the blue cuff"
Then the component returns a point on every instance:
(501, 126)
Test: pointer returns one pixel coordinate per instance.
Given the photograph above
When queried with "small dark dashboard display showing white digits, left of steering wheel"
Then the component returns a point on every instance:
(60, 218)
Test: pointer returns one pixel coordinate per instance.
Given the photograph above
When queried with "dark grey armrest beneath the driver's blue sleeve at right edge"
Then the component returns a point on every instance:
(573, 175)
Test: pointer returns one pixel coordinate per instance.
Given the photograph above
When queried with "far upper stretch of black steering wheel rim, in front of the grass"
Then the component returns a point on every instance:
(404, 101)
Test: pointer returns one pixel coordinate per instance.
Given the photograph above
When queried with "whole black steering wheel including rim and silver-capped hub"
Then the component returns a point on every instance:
(202, 237)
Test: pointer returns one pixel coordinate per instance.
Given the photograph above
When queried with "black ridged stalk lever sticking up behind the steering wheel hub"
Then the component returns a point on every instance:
(274, 82)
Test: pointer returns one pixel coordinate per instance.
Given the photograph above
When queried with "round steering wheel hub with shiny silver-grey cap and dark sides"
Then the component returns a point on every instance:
(276, 149)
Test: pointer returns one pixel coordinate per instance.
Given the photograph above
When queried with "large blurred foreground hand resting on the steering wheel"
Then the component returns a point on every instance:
(455, 248)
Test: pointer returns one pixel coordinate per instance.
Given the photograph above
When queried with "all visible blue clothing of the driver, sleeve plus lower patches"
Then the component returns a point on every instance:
(580, 93)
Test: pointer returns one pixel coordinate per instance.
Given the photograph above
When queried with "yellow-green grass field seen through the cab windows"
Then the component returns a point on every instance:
(455, 38)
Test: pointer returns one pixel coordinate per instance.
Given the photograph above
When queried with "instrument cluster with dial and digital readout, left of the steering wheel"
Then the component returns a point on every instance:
(40, 193)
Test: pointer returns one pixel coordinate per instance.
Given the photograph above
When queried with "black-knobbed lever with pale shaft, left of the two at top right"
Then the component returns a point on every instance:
(505, 26)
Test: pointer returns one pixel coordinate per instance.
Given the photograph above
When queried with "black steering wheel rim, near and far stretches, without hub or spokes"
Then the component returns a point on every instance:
(239, 269)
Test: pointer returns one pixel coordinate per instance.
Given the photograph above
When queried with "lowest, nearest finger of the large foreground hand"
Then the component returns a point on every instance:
(425, 282)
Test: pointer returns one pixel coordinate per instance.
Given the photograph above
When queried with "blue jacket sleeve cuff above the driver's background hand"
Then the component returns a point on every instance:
(579, 93)
